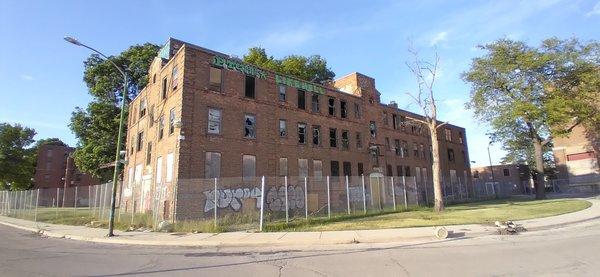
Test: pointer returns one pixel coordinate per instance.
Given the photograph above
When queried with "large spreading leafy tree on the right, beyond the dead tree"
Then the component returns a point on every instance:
(524, 92)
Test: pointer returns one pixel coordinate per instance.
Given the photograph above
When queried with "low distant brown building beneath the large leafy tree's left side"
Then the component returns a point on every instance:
(507, 179)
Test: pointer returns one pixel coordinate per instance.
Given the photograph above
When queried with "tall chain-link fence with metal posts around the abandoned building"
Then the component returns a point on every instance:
(233, 204)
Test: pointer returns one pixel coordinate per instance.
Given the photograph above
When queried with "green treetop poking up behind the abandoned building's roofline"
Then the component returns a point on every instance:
(313, 68)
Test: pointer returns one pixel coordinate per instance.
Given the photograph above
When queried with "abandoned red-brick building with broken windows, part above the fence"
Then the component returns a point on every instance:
(205, 114)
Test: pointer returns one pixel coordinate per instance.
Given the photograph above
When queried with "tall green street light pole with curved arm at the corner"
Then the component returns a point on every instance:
(111, 221)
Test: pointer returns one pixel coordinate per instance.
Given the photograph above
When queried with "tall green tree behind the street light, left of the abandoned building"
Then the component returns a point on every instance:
(96, 126)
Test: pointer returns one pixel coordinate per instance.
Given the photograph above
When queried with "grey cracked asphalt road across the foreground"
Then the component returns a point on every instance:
(569, 251)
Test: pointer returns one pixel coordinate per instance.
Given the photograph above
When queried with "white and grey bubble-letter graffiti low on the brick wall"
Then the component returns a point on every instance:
(274, 201)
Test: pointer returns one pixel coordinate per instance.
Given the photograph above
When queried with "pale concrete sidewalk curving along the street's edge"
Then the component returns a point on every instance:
(290, 239)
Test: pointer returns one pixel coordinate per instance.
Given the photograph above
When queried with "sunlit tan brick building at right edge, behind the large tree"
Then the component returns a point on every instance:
(576, 157)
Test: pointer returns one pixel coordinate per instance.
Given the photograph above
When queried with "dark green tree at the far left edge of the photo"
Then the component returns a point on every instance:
(16, 158)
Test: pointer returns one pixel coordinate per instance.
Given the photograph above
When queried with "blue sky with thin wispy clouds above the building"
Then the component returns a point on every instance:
(41, 75)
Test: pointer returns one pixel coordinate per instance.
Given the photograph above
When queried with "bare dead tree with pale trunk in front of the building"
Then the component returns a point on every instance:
(426, 73)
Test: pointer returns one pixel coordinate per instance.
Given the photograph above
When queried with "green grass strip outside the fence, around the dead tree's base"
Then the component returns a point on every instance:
(485, 212)
